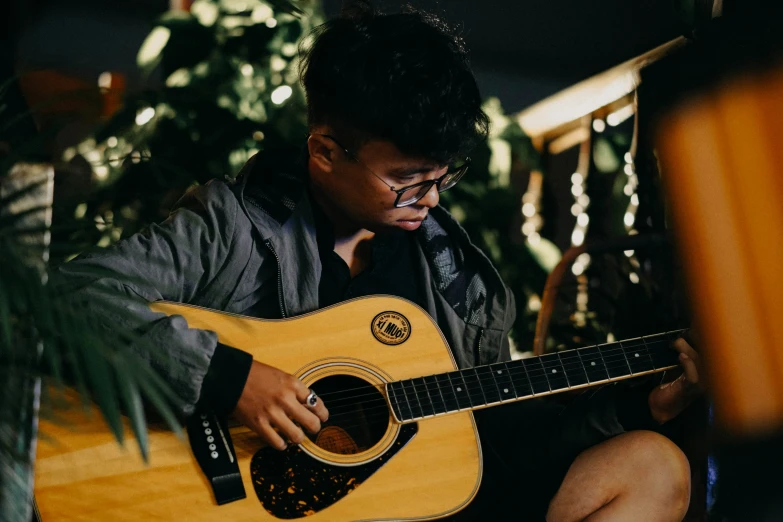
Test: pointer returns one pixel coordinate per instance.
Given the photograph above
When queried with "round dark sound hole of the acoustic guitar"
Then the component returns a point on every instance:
(358, 415)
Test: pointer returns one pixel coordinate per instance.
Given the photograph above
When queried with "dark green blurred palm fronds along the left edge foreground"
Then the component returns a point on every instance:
(44, 341)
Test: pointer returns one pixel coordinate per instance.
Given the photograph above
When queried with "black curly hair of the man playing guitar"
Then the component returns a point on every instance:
(401, 77)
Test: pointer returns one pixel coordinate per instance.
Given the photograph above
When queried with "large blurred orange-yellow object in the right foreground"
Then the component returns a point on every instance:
(722, 160)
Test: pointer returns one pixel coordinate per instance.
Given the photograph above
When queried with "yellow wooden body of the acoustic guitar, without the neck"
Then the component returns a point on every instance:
(364, 465)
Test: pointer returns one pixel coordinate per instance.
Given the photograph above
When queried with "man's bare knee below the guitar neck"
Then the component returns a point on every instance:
(639, 476)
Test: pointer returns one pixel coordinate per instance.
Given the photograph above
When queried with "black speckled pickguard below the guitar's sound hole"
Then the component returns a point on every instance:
(292, 484)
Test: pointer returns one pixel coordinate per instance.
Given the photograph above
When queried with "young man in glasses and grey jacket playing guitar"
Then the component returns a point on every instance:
(394, 111)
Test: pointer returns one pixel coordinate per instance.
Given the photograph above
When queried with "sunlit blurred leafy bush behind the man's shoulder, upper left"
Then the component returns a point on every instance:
(230, 88)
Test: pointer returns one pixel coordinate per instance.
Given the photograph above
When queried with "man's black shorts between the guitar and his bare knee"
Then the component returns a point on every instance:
(524, 463)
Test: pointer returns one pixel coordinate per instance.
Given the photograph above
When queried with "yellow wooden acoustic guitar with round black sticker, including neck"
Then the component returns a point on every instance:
(400, 444)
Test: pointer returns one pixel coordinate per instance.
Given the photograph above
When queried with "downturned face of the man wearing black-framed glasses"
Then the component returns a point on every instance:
(354, 187)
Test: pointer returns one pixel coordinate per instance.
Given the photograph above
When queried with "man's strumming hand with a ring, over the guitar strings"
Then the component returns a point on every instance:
(273, 403)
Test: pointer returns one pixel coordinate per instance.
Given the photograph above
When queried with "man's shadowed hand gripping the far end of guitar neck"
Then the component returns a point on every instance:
(670, 399)
